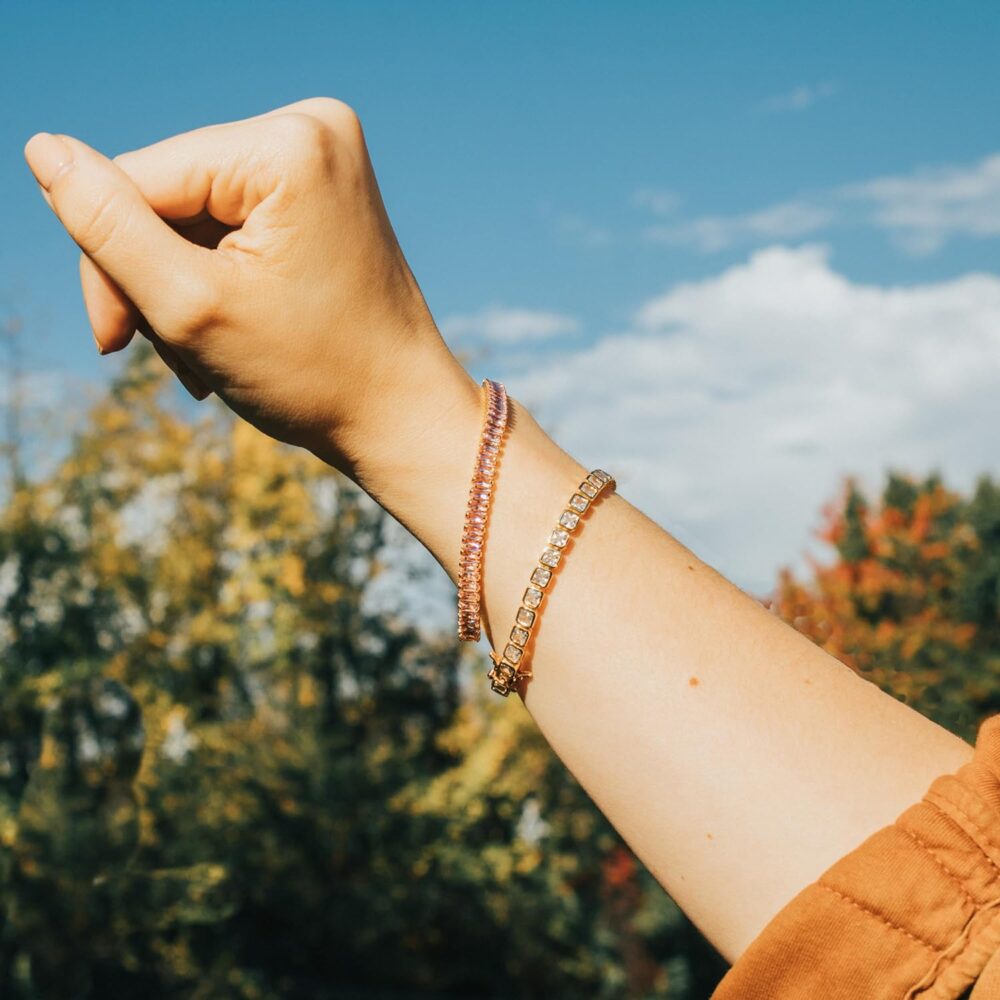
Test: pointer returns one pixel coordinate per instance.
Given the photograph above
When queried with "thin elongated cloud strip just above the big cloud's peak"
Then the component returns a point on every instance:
(710, 233)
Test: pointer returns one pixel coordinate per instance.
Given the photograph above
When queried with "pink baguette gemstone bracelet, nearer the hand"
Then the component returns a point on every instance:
(470, 567)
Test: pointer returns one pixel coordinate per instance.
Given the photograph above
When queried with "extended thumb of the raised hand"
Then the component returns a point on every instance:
(105, 214)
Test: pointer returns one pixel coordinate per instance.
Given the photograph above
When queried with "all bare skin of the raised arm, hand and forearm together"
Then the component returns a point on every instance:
(737, 758)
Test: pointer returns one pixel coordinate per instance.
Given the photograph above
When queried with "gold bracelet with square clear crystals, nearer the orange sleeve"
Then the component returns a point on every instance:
(511, 666)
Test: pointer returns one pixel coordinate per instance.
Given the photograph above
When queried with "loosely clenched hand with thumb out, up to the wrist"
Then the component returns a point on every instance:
(258, 258)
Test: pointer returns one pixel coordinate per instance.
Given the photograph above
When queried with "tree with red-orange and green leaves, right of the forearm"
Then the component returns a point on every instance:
(912, 600)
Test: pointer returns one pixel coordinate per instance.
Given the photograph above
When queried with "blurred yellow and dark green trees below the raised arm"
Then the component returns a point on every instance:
(222, 775)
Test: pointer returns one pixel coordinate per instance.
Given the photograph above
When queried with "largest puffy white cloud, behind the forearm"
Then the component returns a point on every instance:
(734, 406)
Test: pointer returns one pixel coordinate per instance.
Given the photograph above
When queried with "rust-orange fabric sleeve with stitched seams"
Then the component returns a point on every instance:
(912, 913)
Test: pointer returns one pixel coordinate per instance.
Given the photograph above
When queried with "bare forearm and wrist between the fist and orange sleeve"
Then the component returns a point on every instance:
(737, 758)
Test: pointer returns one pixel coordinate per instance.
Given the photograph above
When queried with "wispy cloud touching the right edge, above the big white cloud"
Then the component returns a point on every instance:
(924, 208)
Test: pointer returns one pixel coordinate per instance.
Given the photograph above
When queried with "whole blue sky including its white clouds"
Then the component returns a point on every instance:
(599, 192)
